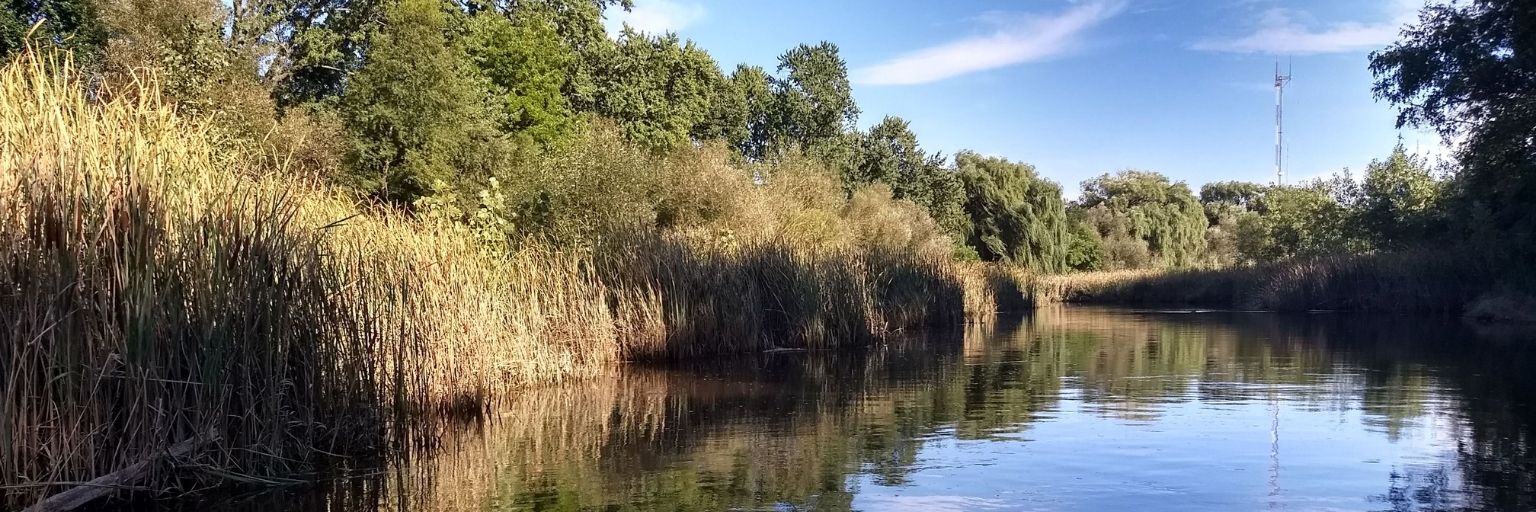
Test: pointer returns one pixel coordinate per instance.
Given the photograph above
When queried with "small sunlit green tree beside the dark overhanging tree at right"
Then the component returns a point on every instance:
(1400, 201)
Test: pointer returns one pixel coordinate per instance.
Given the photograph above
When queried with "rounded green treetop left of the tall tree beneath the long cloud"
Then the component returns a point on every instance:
(658, 88)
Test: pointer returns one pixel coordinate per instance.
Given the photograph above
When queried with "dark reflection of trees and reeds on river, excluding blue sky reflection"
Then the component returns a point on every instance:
(790, 431)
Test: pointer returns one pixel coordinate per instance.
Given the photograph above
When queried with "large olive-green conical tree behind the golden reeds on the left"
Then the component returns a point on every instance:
(414, 111)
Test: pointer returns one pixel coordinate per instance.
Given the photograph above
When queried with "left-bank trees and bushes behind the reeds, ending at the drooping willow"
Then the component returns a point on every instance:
(528, 121)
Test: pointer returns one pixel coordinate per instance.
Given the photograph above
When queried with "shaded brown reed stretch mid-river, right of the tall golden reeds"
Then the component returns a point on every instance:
(675, 301)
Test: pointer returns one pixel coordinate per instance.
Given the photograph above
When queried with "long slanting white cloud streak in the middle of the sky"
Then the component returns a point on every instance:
(1018, 39)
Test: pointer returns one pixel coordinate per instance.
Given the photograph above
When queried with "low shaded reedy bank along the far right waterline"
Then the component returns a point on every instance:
(1443, 282)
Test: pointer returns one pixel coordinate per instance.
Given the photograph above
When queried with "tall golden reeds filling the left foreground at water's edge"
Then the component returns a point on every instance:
(157, 290)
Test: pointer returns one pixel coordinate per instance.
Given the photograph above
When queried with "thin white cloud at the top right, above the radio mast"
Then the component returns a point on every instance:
(1285, 32)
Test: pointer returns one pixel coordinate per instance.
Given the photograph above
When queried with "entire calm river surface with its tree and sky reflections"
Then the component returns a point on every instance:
(1070, 410)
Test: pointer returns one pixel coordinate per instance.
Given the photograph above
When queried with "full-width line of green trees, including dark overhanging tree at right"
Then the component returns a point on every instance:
(458, 105)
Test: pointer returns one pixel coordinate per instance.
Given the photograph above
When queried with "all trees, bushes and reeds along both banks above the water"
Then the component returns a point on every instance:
(296, 238)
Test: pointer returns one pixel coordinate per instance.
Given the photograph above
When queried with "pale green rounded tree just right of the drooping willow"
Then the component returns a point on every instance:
(1136, 210)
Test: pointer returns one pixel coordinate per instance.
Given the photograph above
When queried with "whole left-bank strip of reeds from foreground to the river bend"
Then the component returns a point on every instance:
(164, 290)
